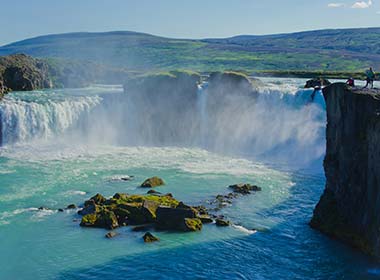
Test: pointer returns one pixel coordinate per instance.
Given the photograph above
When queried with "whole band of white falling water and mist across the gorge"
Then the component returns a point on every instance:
(280, 126)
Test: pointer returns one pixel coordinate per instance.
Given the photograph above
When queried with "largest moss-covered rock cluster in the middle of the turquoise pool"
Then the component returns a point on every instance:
(162, 211)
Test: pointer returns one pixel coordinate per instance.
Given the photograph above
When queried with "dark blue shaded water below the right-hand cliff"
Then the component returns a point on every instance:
(290, 250)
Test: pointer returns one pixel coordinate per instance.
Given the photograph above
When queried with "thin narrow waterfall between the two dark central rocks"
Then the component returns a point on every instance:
(202, 113)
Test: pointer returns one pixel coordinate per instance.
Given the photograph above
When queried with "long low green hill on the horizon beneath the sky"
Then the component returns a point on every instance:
(322, 50)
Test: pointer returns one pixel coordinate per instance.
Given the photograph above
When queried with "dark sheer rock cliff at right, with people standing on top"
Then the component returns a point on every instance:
(349, 208)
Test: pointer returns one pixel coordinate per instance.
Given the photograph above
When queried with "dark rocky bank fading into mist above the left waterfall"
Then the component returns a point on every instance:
(20, 72)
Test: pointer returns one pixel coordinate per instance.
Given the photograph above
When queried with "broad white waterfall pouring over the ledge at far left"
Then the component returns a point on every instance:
(41, 117)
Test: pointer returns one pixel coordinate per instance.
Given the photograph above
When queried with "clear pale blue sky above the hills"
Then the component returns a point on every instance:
(22, 19)
